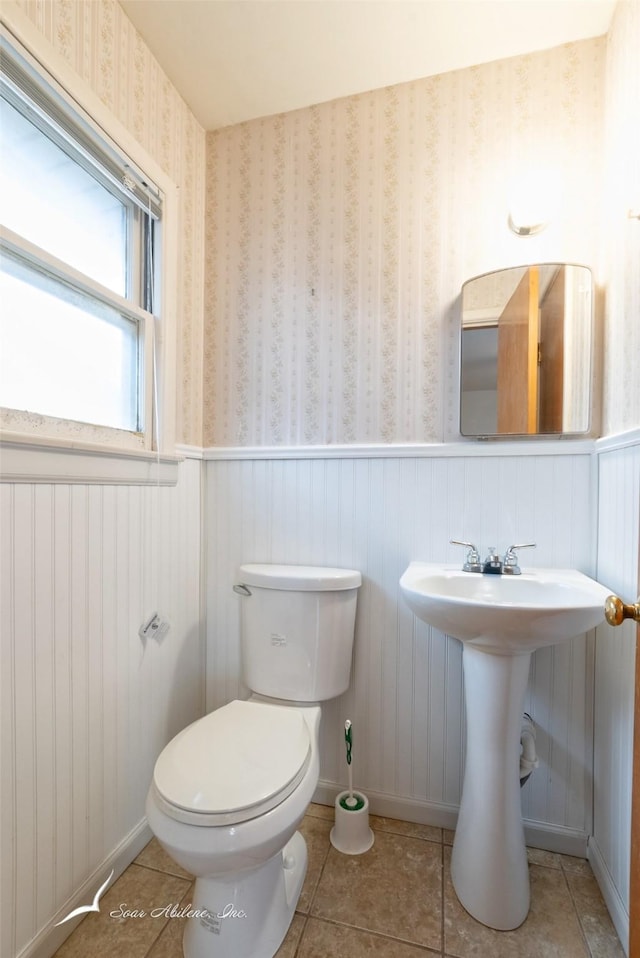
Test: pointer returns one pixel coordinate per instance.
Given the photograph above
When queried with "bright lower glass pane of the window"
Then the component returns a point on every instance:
(59, 347)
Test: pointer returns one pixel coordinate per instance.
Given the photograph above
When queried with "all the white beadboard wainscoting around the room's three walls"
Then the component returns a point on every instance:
(87, 707)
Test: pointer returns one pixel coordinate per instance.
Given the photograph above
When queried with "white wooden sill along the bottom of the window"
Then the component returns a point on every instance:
(29, 459)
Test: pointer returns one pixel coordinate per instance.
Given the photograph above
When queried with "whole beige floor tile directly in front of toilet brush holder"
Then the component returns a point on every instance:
(395, 888)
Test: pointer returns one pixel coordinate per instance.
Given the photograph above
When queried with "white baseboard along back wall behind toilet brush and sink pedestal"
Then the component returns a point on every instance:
(551, 838)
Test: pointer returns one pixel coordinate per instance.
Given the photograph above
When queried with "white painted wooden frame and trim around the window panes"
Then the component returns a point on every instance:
(26, 437)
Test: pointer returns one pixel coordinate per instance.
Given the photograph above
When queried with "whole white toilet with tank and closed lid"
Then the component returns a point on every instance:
(229, 791)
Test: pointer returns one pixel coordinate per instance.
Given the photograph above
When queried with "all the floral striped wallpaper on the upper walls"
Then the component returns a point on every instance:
(337, 238)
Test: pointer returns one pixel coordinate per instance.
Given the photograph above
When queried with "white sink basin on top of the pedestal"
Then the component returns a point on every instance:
(510, 613)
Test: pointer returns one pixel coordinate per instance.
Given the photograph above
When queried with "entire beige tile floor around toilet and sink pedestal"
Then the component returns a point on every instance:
(395, 901)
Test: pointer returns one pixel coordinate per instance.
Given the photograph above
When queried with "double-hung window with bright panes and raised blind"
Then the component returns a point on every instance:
(79, 263)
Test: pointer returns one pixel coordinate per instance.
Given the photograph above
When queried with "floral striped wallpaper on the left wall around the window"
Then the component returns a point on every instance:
(102, 45)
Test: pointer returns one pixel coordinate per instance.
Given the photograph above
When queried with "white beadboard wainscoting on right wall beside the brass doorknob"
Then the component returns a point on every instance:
(618, 544)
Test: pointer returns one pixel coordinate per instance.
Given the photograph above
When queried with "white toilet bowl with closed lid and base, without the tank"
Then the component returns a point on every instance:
(249, 871)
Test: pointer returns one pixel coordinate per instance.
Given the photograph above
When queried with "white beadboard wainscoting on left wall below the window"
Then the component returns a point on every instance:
(86, 704)
